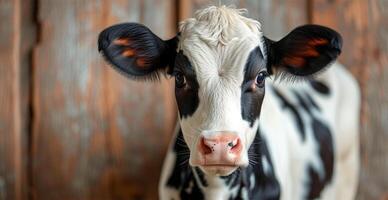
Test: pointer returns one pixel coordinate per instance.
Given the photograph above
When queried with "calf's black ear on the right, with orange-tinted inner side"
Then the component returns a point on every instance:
(304, 51)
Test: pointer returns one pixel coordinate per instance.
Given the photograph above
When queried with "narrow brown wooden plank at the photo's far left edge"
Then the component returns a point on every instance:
(10, 132)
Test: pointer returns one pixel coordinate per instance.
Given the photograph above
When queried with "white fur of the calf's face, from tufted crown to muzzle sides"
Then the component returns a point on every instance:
(218, 58)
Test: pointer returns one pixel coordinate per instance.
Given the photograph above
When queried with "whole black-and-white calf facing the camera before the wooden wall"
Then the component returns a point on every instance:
(258, 118)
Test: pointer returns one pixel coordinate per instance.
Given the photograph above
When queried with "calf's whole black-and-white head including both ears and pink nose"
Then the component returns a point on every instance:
(220, 60)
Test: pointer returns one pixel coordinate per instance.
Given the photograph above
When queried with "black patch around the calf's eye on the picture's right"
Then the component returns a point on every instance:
(251, 99)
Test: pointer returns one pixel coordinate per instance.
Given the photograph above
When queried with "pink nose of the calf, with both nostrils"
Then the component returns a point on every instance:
(223, 148)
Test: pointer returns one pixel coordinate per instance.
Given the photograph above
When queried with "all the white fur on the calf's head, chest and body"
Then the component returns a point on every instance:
(218, 58)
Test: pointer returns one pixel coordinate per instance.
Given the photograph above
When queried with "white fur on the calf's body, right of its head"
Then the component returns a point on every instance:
(291, 156)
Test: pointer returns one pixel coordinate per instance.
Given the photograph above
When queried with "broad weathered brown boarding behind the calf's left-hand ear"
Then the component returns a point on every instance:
(96, 134)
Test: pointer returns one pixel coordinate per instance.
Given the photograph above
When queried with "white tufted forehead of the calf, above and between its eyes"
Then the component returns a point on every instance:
(218, 40)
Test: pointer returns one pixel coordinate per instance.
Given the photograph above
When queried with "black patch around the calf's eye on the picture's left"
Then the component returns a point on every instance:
(187, 96)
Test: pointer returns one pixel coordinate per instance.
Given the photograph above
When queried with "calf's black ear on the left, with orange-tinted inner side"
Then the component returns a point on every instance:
(137, 52)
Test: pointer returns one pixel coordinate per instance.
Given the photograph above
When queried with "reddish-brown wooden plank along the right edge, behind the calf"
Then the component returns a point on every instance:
(363, 26)
